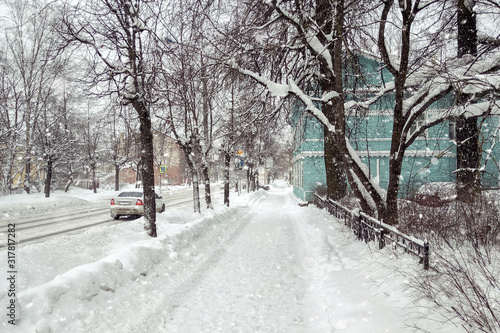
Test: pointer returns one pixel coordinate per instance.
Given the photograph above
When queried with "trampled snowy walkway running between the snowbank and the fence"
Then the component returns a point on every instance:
(257, 283)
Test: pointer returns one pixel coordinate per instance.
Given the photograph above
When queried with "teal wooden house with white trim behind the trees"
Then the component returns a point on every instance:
(431, 158)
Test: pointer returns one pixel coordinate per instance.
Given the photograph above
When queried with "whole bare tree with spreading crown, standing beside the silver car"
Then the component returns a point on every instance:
(122, 40)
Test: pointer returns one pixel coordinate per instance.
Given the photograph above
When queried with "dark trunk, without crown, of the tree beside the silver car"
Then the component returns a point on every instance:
(147, 162)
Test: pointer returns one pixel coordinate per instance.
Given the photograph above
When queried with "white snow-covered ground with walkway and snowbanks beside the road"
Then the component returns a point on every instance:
(263, 265)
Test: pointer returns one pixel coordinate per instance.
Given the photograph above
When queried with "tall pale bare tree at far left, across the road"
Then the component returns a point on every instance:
(30, 50)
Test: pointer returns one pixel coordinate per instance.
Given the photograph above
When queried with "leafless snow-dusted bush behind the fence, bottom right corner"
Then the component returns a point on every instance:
(462, 285)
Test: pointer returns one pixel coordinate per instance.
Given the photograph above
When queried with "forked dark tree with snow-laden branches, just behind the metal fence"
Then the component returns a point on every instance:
(423, 74)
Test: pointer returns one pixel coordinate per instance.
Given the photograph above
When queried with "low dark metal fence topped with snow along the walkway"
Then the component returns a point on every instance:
(368, 229)
